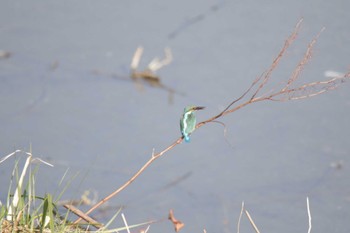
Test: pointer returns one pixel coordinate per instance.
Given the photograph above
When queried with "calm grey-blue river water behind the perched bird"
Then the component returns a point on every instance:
(65, 92)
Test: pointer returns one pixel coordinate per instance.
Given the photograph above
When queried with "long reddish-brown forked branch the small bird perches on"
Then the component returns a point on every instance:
(286, 92)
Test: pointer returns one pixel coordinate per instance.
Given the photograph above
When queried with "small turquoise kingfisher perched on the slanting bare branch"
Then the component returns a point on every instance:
(188, 121)
